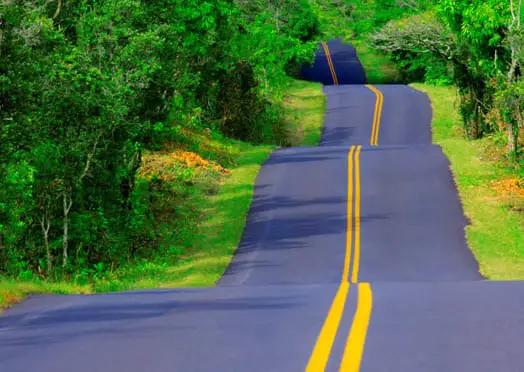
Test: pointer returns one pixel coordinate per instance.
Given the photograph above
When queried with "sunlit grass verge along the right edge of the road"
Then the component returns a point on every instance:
(483, 176)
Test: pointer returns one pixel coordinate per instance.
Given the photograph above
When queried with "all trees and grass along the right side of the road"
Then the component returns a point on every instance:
(467, 56)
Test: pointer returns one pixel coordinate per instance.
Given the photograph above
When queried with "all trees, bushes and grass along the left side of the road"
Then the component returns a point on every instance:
(132, 132)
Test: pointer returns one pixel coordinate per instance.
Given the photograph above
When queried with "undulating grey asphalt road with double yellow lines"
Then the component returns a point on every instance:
(353, 258)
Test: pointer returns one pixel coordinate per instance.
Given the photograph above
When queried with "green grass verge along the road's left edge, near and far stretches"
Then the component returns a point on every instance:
(210, 237)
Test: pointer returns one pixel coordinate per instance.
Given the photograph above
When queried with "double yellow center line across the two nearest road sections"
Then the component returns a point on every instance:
(357, 334)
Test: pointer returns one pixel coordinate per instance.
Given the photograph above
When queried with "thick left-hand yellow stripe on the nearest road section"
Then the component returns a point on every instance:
(320, 356)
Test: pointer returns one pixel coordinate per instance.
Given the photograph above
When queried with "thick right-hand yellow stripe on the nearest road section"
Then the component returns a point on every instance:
(357, 335)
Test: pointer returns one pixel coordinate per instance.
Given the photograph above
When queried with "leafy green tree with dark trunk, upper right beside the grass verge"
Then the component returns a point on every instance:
(479, 28)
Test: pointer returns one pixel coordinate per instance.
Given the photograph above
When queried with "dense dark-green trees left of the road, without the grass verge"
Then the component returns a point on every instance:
(86, 86)
